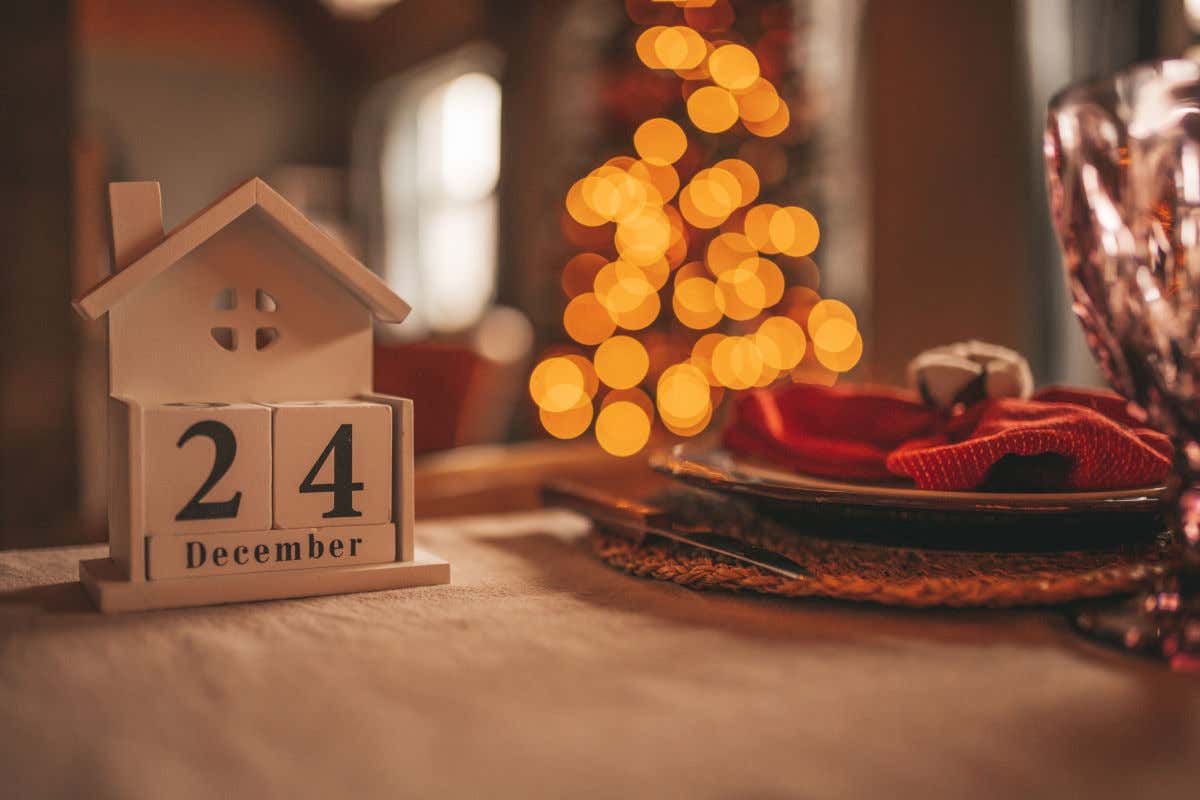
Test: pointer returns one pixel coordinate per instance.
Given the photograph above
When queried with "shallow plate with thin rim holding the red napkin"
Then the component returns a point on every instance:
(713, 468)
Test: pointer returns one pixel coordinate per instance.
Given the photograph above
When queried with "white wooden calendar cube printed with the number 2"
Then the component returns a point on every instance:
(209, 466)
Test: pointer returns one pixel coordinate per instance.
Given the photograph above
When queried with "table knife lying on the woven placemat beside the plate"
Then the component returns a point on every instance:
(637, 520)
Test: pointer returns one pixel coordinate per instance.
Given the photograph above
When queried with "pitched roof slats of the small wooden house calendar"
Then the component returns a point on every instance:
(357, 279)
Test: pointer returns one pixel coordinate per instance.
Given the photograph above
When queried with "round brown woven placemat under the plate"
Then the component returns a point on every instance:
(892, 575)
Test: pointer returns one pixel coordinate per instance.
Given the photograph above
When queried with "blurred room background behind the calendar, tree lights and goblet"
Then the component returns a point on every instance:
(437, 140)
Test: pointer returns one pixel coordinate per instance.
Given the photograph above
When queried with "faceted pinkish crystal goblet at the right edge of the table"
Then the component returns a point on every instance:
(1124, 170)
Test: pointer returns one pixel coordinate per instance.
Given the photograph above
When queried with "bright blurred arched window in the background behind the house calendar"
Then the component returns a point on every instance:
(437, 153)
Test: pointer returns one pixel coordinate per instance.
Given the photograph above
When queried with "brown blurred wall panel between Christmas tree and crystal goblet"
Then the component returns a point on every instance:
(950, 237)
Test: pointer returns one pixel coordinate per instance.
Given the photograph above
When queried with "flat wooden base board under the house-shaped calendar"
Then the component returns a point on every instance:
(111, 593)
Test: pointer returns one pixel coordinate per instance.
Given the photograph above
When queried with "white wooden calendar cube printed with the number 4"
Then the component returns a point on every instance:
(333, 464)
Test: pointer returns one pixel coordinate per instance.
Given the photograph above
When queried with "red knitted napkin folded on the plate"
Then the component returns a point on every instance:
(1060, 440)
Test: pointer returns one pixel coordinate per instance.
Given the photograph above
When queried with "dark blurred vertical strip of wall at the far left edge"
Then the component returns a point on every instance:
(38, 464)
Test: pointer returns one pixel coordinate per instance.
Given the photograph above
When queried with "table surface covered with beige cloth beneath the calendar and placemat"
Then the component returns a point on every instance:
(541, 672)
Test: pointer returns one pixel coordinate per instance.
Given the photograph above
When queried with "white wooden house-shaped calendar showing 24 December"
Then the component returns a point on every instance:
(249, 456)
